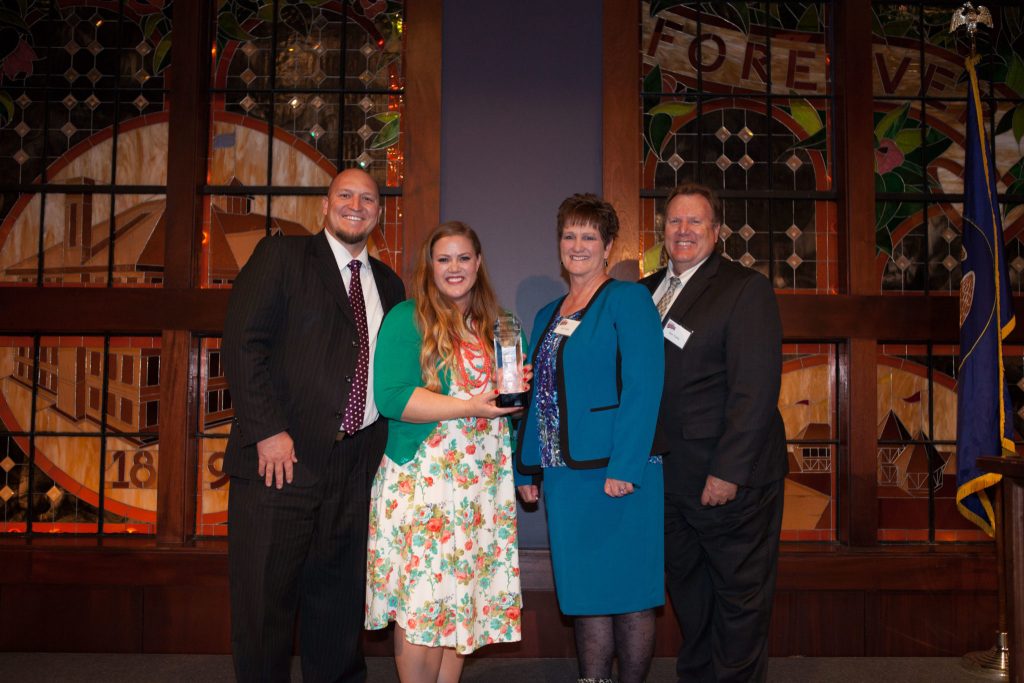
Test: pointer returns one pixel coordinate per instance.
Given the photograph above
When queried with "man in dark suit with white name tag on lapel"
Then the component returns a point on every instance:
(726, 462)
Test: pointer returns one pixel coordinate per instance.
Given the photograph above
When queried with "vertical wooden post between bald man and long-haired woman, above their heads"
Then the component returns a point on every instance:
(421, 189)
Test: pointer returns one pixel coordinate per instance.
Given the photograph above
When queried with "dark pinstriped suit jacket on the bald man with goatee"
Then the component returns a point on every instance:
(290, 350)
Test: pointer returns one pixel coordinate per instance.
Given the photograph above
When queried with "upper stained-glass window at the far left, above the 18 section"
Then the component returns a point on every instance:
(83, 143)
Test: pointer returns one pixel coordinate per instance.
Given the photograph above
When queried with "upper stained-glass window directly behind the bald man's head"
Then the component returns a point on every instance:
(301, 93)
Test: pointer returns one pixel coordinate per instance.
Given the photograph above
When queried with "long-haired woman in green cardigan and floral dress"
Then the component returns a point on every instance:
(443, 561)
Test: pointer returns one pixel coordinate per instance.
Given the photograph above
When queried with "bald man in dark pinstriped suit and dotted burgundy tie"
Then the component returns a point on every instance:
(307, 441)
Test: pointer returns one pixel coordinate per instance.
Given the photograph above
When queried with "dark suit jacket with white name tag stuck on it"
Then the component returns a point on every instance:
(719, 411)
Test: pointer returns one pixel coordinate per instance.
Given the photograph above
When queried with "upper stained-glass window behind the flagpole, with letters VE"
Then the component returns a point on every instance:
(920, 105)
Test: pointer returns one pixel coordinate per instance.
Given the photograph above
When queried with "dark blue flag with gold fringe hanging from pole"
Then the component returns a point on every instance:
(985, 417)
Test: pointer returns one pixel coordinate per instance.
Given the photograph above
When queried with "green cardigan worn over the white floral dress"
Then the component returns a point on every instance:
(397, 375)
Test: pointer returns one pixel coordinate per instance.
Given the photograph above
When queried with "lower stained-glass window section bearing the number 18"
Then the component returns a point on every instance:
(79, 455)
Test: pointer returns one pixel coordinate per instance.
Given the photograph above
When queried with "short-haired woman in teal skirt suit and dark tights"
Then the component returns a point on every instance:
(599, 366)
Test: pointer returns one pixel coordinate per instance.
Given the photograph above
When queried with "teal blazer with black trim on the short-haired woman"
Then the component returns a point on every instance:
(610, 375)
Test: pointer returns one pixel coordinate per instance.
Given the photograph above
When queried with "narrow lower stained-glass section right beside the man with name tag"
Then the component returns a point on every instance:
(807, 402)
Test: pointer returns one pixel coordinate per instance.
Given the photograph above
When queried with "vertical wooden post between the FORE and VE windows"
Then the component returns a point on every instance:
(855, 177)
